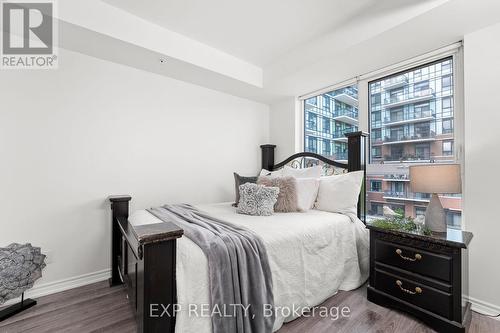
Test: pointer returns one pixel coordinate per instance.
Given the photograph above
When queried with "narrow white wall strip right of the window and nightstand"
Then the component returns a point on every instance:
(482, 162)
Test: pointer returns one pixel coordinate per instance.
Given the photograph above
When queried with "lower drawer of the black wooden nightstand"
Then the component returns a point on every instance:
(415, 292)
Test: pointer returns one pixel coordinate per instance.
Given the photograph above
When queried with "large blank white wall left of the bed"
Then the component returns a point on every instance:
(72, 136)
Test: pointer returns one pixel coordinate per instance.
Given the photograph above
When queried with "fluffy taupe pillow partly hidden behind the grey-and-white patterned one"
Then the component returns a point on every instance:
(287, 198)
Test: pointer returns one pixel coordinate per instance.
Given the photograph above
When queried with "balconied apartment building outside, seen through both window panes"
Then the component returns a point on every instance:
(411, 121)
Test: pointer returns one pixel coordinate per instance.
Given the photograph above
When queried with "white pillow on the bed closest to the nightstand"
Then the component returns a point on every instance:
(339, 193)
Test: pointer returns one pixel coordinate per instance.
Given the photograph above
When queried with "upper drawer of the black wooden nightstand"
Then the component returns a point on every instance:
(414, 260)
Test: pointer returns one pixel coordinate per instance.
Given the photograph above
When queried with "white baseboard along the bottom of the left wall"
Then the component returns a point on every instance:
(45, 289)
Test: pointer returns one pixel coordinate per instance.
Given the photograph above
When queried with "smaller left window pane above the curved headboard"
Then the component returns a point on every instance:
(327, 118)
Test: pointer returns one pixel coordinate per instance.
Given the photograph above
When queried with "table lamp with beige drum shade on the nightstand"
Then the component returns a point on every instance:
(435, 178)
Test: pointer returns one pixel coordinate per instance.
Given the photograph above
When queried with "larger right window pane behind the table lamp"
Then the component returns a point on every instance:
(416, 126)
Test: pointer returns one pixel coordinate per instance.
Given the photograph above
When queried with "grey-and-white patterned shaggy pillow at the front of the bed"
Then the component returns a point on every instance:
(257, 199)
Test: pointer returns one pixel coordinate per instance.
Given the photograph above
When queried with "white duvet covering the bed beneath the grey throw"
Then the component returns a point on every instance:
(312, 255)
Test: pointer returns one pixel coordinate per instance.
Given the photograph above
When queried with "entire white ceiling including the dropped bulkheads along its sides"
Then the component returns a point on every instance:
(266, 50)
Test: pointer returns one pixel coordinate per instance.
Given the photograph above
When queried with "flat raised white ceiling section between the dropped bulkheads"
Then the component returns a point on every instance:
(256, 31)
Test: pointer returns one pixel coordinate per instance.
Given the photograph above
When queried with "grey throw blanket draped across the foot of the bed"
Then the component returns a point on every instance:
(238, 268)
